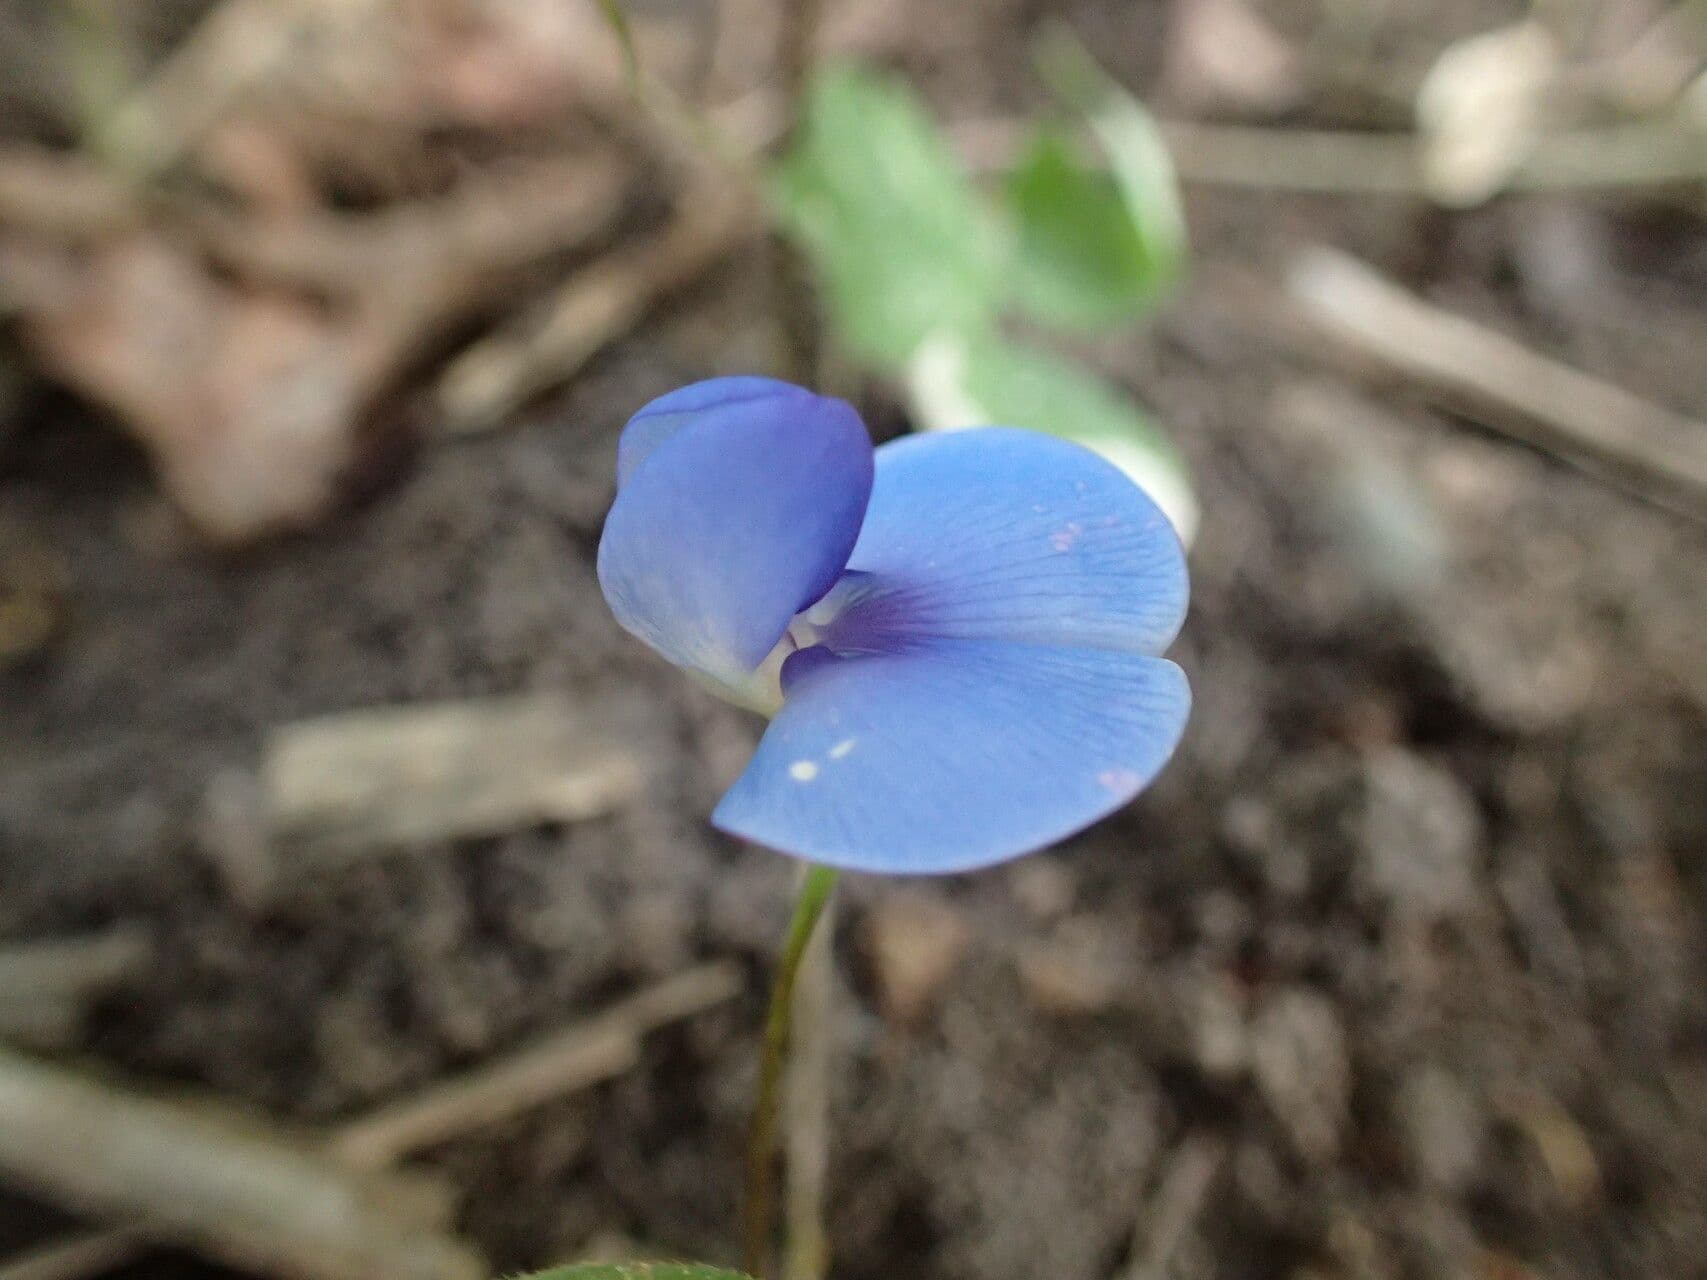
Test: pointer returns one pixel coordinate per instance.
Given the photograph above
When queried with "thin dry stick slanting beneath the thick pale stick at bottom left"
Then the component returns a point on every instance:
(574, 1059)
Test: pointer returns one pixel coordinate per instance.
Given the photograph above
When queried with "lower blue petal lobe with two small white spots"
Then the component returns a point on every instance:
(953, 755)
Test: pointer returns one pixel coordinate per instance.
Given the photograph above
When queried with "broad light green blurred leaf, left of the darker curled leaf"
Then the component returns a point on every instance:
(878, 201)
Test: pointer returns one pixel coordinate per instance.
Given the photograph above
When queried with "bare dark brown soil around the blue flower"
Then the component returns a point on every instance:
(1409, 940)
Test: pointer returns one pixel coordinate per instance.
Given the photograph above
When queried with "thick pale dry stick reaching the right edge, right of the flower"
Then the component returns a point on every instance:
(1599, 428)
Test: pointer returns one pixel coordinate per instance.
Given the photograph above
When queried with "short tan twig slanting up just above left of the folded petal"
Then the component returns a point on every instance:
(593, 310)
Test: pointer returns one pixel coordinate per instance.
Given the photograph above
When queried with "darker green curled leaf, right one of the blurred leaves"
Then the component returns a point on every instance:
(1095, 245)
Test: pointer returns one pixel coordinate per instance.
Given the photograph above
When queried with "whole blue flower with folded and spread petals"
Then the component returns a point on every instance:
(958, 636)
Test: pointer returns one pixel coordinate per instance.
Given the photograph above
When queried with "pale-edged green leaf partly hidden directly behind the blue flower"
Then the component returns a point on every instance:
(960, 381)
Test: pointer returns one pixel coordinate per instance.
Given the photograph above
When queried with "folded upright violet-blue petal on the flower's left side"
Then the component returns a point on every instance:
(738, 504)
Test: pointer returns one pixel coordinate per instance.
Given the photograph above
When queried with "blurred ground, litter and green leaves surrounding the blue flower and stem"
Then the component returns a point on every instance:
(359, 912)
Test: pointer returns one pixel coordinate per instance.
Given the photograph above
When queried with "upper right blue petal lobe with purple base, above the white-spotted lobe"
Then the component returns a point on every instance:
(1008, 535)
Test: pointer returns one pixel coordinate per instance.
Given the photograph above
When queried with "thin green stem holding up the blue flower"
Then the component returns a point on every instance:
(759, 1207)
